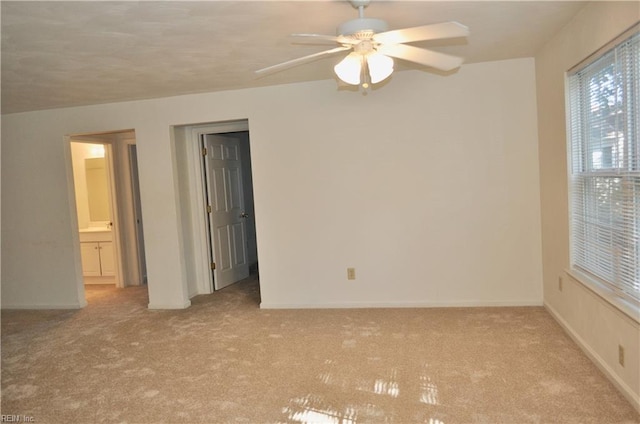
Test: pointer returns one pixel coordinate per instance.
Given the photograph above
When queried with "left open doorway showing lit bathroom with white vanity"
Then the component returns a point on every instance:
(108, 209)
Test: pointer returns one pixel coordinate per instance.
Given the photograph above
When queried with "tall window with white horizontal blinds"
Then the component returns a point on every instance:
(604, 180)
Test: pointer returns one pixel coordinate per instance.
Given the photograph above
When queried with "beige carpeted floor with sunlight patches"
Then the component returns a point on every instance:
(226, 361)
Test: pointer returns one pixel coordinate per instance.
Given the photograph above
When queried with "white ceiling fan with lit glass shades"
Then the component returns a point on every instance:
(373, 48)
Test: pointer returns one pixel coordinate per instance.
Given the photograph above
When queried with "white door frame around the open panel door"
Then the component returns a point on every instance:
(197, 194)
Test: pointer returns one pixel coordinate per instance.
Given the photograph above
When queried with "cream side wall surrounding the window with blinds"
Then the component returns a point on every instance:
(594, 324)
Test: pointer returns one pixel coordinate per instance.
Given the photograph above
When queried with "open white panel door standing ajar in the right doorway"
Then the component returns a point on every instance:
(227, 217)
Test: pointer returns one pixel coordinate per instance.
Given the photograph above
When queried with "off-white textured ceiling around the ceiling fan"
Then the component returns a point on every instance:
(59, 54)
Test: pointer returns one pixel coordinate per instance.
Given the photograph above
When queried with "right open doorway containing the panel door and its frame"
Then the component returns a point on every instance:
(214, 247)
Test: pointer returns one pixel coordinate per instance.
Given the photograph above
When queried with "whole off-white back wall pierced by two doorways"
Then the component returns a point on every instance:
(428, 187)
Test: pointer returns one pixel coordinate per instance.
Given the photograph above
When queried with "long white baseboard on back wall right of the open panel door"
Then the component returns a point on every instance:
(364, 305)
